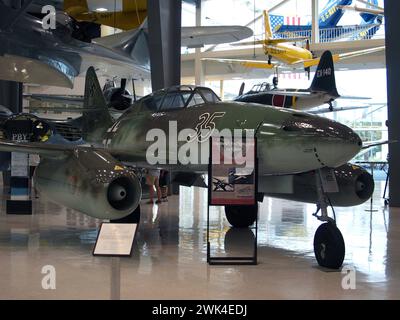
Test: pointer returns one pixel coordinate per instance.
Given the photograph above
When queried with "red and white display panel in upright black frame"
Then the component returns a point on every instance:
(232, 171)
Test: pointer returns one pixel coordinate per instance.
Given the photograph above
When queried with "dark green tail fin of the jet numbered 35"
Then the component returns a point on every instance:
(94, 123)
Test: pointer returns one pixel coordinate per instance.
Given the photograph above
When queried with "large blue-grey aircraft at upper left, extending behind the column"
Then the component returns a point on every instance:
(30, 53)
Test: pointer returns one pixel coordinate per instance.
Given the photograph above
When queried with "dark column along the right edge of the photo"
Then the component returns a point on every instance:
(392, 31)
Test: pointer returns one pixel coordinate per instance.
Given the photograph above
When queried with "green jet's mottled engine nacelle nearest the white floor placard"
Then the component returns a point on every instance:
(91, 182)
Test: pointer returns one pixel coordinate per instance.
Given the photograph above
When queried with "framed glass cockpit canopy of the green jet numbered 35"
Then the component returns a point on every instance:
(178, 97)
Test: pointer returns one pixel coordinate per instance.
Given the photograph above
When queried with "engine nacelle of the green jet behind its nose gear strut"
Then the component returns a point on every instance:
(355, 184)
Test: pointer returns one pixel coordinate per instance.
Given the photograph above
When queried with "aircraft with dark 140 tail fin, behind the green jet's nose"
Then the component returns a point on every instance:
(322, 91)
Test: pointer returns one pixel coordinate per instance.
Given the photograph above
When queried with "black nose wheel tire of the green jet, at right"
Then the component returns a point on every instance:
(329, 247)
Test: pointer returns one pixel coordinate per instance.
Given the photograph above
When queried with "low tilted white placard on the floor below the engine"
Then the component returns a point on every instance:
(115, 239)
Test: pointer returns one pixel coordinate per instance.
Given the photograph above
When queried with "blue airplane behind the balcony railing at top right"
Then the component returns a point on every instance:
(328, 20)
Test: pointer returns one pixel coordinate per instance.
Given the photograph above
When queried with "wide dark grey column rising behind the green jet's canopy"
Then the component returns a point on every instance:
(164, 20)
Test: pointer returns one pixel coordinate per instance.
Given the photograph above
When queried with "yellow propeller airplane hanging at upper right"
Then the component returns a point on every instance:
(287, 55)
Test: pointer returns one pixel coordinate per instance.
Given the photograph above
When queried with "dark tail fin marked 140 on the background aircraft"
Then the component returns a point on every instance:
(324, 78)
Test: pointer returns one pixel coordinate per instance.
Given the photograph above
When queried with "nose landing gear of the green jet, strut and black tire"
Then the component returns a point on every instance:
(329, 247)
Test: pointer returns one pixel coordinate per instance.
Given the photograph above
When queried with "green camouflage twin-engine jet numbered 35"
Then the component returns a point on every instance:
(292, 147)
